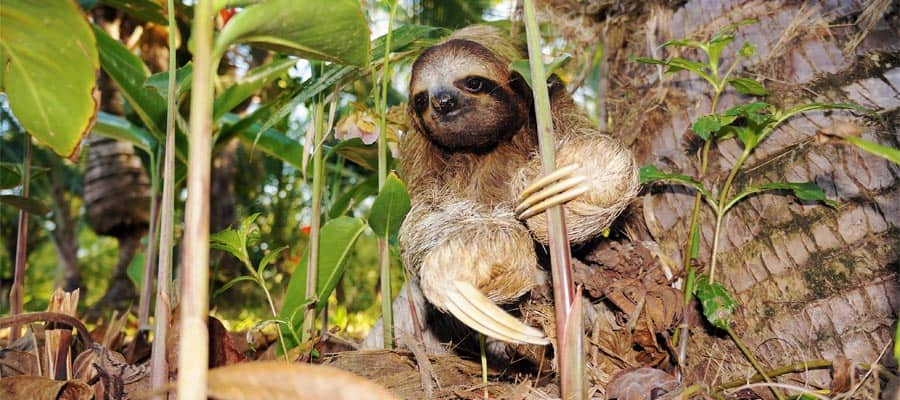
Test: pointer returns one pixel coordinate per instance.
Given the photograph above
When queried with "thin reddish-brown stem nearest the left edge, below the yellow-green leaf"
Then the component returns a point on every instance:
(17, 291)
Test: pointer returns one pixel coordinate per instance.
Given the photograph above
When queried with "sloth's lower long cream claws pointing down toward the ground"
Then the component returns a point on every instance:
(474, 309)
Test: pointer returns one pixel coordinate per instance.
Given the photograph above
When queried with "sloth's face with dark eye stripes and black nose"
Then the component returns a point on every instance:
(465, 98)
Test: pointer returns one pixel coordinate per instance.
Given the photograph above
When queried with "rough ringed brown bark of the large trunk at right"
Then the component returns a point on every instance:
(813, 282)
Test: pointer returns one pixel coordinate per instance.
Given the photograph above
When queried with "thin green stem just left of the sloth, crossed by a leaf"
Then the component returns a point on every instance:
(384, 250)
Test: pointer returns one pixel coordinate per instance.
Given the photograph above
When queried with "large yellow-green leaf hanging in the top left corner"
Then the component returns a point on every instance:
(50, 65)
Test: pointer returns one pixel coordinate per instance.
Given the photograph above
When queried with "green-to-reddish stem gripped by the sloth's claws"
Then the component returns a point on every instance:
(560, 256)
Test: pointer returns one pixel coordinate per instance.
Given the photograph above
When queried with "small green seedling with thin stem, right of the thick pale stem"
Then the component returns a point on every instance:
(235, 242)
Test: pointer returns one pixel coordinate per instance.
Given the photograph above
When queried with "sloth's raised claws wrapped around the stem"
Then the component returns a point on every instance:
(557, 188)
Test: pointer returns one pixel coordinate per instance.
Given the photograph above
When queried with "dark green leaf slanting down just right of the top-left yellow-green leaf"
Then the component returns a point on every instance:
(129, 73)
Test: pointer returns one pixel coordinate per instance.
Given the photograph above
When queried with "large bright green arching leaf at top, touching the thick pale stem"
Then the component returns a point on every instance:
(332, 30)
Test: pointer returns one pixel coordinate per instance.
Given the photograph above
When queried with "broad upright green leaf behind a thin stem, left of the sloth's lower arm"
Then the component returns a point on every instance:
(336, 239)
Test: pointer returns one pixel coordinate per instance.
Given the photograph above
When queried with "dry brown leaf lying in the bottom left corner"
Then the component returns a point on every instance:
(39, 388)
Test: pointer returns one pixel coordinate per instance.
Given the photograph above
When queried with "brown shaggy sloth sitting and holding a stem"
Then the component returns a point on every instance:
(477, 186)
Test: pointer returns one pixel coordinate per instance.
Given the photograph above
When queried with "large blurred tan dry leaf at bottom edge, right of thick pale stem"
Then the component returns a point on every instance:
(276, 380)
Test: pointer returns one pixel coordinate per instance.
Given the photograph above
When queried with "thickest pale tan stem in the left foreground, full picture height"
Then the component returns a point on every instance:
(193, 351)
